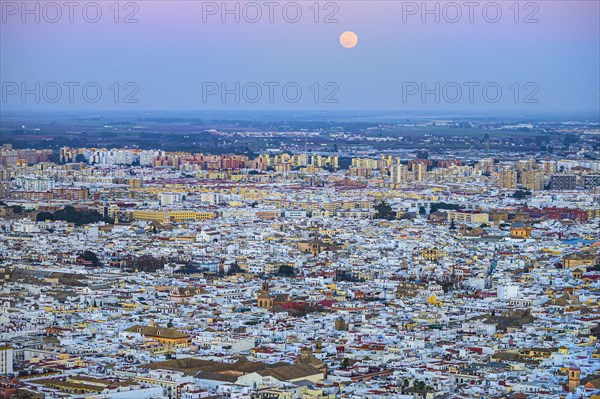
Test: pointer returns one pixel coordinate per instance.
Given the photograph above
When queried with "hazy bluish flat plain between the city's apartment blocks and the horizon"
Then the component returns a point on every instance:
(194, 135)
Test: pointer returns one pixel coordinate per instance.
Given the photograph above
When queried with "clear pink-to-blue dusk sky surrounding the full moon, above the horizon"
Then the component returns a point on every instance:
(177, 61)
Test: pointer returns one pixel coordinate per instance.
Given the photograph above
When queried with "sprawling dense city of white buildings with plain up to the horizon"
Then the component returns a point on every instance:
(354, 261)
